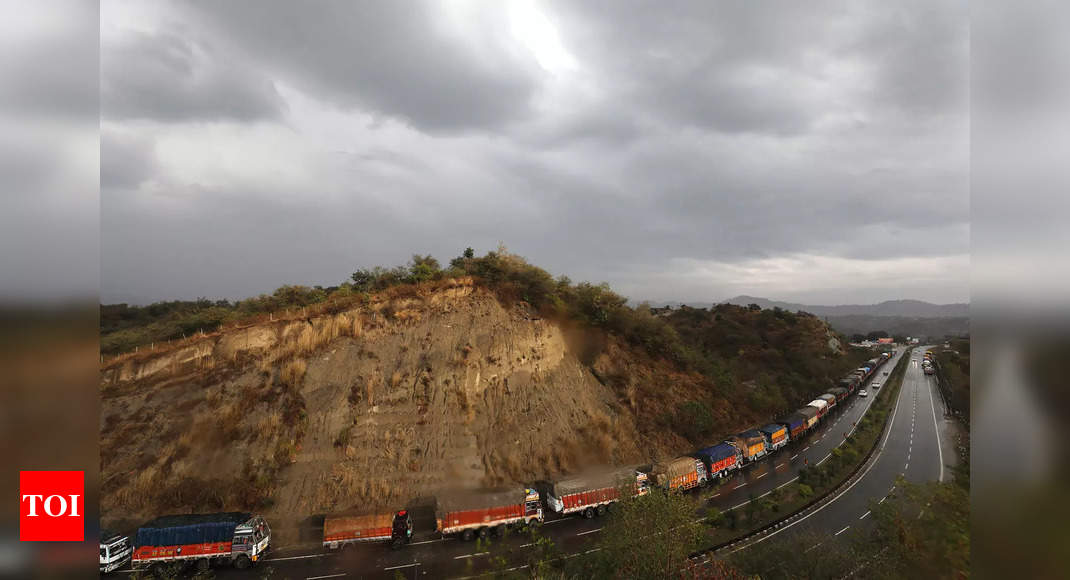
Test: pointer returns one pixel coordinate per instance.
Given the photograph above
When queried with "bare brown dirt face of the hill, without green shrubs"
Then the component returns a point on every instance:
(372, 407)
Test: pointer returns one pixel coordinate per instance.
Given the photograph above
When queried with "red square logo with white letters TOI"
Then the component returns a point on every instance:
(52, 507)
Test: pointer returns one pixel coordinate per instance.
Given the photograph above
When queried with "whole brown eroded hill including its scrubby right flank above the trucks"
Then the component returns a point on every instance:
(426, 387)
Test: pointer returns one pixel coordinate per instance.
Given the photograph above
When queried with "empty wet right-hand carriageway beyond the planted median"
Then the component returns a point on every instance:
(919, 447)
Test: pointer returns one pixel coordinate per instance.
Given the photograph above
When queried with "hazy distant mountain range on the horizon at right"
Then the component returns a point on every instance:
(897, 317)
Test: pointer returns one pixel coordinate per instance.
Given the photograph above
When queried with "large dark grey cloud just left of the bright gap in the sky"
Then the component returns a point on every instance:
(388, 57)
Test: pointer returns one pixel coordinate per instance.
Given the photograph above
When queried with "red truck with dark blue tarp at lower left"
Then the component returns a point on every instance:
(234, 538)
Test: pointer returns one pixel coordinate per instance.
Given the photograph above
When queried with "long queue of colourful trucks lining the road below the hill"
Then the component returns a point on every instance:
(242, 540)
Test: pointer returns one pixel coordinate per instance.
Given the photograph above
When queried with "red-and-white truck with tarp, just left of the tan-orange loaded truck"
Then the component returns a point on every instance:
(591, 494)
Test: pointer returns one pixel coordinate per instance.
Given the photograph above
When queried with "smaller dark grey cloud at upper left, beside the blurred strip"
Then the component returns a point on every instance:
(167, 78)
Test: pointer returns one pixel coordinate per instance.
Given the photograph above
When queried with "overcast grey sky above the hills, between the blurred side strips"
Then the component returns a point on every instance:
(791, 150)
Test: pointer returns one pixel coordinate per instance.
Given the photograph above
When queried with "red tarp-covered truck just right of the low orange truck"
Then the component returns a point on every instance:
(472, 513)
